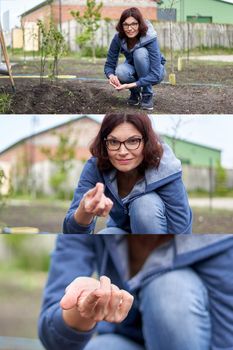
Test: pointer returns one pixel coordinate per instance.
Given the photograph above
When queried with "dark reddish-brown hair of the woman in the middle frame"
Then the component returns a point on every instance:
(152, 151)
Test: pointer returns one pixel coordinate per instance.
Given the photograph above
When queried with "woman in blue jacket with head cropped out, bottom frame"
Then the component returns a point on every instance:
(182, 288)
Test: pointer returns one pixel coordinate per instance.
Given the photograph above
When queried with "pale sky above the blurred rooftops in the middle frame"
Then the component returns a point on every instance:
(208, 130)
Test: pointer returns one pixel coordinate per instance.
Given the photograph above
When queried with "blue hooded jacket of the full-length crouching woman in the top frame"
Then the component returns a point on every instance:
(150, 42)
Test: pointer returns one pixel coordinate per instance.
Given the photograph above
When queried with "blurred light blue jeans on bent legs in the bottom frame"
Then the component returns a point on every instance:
(175, 315)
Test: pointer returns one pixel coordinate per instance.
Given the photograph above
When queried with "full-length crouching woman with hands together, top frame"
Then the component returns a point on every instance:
(144, 65)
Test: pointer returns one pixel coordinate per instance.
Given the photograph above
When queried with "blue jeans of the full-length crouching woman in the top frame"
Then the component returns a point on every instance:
(128, 73)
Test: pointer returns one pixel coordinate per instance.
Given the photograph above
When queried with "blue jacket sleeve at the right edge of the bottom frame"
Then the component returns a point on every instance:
(216, 273)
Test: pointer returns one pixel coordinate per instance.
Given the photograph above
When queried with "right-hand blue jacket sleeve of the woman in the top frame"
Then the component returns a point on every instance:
(156, 73)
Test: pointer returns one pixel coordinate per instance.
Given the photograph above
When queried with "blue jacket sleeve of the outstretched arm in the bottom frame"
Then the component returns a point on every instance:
(73, 256)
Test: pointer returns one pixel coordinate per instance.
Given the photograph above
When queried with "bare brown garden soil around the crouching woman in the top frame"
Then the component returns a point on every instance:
(201, 89)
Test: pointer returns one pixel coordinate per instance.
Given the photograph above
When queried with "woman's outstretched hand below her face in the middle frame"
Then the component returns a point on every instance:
(93, 203)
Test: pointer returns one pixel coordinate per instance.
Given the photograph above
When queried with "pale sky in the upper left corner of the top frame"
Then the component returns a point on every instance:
(17, 7)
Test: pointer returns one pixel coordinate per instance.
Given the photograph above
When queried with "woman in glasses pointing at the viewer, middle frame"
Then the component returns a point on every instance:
(134, 178)
